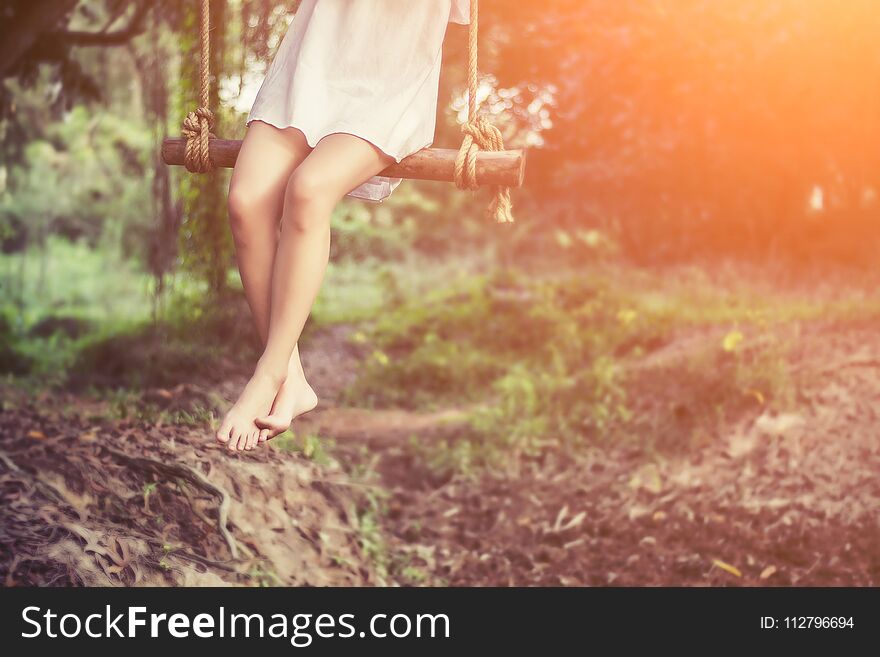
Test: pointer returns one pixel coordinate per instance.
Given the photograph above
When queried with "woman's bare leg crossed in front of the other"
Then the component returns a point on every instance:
(338, 163)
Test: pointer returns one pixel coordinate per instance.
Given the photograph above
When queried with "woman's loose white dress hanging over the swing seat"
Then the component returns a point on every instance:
(370, 68)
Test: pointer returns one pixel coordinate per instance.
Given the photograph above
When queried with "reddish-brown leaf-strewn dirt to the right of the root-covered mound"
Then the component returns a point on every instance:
(766, 498)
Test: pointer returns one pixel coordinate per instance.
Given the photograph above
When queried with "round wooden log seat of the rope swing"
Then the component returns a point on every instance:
(504, 168)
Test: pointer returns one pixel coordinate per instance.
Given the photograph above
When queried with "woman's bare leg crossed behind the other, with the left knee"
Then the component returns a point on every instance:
(267, 159)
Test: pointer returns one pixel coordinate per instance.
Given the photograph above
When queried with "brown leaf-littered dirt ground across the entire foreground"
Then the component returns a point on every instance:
(761, 498)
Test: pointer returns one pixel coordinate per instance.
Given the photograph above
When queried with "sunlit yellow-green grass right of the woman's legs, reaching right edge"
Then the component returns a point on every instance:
(545, 358)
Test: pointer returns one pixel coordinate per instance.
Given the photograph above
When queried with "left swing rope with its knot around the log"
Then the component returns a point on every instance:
(198, 126)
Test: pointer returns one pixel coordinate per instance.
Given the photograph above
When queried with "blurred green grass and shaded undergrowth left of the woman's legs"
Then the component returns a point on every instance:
(75, 323)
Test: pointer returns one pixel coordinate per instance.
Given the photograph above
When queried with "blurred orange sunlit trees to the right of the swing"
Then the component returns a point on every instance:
(697, 127)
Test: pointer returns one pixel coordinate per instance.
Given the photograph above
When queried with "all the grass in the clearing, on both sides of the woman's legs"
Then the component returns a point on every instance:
(542, 356)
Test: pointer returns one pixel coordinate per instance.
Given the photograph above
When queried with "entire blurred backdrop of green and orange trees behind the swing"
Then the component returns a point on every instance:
(659, 132)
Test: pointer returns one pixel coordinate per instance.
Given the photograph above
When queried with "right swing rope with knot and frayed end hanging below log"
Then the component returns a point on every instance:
(479, 134)
